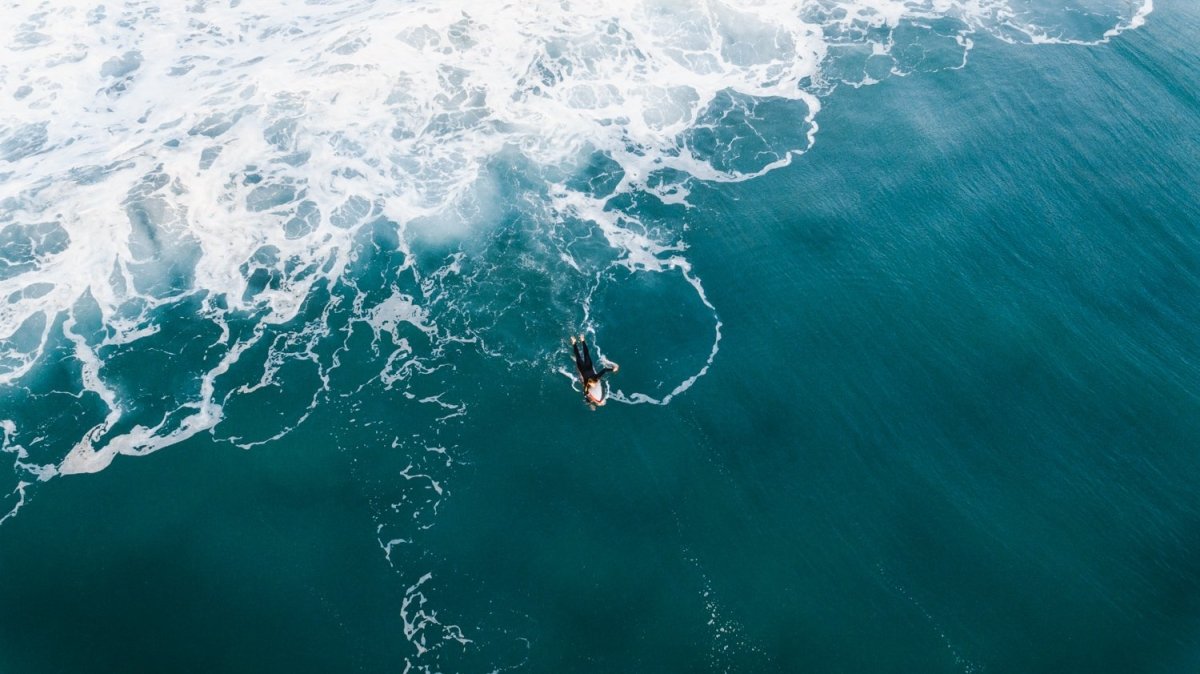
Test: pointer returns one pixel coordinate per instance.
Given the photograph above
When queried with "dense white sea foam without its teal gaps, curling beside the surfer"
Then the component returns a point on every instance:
(237, 152)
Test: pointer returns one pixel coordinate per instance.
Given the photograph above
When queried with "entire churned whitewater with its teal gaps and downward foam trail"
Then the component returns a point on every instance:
(202, 206)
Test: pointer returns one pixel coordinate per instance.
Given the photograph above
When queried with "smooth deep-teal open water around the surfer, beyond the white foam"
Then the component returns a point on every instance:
(952, 426)
